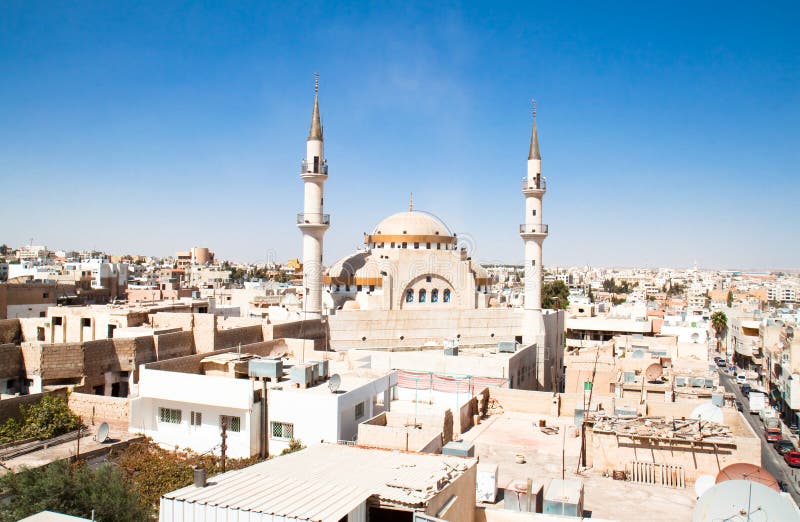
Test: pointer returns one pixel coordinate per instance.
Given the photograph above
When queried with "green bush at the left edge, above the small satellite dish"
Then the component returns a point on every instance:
(48, 418)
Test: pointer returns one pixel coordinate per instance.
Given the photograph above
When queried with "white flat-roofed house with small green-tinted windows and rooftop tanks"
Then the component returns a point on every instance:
(183, 401)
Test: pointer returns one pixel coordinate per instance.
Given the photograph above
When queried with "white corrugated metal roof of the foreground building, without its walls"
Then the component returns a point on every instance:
(327, 481)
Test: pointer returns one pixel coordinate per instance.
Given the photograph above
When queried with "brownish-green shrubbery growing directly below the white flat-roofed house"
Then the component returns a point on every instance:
(152, 471)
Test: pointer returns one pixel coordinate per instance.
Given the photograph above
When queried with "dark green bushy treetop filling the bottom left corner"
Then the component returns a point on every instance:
(72, 489)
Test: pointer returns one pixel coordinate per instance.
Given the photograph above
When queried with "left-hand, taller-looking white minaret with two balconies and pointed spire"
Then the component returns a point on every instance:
(312, 222)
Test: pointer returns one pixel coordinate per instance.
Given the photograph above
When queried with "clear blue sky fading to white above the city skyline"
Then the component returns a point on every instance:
(669, 132)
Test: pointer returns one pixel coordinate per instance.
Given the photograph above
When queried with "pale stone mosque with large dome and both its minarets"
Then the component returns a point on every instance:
(412, 286)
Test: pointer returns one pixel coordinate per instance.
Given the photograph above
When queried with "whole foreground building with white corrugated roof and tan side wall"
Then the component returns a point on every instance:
(334, 483)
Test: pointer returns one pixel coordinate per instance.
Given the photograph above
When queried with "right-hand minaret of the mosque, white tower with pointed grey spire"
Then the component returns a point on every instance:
(533, 233)
